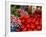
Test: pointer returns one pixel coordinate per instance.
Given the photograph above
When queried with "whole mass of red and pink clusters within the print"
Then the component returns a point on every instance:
(27, 22)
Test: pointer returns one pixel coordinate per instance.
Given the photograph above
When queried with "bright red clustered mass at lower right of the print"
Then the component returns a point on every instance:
(31, 23)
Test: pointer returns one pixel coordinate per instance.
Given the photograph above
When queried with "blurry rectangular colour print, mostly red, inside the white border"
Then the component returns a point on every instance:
(25, 18)
